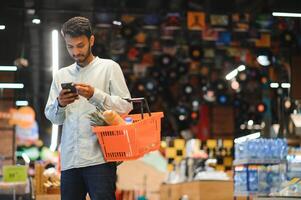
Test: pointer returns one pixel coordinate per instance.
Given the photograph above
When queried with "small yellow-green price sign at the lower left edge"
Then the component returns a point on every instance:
(14, 173)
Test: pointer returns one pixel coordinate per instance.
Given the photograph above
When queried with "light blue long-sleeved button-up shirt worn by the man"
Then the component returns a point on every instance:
(79, 145)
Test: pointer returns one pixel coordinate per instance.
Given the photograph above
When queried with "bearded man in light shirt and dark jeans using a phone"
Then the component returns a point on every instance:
(98, 82)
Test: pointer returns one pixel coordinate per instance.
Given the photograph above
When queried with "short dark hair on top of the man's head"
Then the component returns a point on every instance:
(77, 26)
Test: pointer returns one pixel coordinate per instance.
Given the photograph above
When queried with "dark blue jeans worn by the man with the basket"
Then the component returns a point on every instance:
(99, 181)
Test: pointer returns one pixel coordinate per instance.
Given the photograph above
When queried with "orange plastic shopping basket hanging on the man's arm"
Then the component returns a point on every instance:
(131, 141)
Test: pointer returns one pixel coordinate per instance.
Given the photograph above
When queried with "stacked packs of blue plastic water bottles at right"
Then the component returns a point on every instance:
(260, 166)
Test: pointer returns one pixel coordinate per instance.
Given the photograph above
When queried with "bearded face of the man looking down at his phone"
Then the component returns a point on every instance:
(79, 48)
